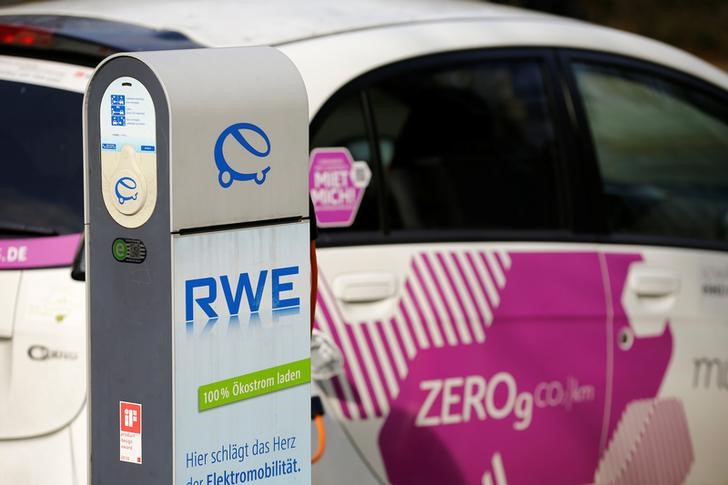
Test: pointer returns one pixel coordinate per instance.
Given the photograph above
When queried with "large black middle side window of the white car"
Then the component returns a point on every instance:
(468, 147)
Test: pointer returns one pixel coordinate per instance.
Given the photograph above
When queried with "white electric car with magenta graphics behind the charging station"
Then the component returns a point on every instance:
(523, 274)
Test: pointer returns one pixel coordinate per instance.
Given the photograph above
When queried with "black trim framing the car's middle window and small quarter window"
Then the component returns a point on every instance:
(547, 58)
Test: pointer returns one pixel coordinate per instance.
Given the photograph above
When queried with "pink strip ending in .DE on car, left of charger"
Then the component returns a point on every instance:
(39, 252)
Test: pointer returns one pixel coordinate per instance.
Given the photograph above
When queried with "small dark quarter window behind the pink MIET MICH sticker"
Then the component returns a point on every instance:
(342, 125)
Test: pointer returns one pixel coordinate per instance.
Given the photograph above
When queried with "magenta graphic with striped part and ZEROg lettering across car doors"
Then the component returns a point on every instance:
(497, 367)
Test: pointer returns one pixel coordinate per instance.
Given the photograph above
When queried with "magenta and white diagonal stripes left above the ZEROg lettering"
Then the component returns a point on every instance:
(446, 299)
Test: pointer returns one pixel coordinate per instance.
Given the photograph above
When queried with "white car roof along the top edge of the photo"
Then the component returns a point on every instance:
(228, 23)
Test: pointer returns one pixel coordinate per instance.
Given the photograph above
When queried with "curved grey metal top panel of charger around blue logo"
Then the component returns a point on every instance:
(260, 86)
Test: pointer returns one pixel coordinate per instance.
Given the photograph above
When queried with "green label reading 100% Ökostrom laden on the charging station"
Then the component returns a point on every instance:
(257, 383)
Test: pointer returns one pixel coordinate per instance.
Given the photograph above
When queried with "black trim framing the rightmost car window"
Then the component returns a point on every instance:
(596, 230)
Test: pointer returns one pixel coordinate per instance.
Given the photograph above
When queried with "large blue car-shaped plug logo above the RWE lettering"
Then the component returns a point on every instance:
(226, 174)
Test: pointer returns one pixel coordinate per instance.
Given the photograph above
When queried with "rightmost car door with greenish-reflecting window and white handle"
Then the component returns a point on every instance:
(660, 140)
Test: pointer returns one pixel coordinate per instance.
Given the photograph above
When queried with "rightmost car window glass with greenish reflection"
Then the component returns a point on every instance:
(662, 150)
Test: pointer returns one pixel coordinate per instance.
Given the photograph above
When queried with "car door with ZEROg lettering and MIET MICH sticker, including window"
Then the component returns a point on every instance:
(471, 323)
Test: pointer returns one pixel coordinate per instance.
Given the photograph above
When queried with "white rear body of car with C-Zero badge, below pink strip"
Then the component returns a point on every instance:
(43, 399)
